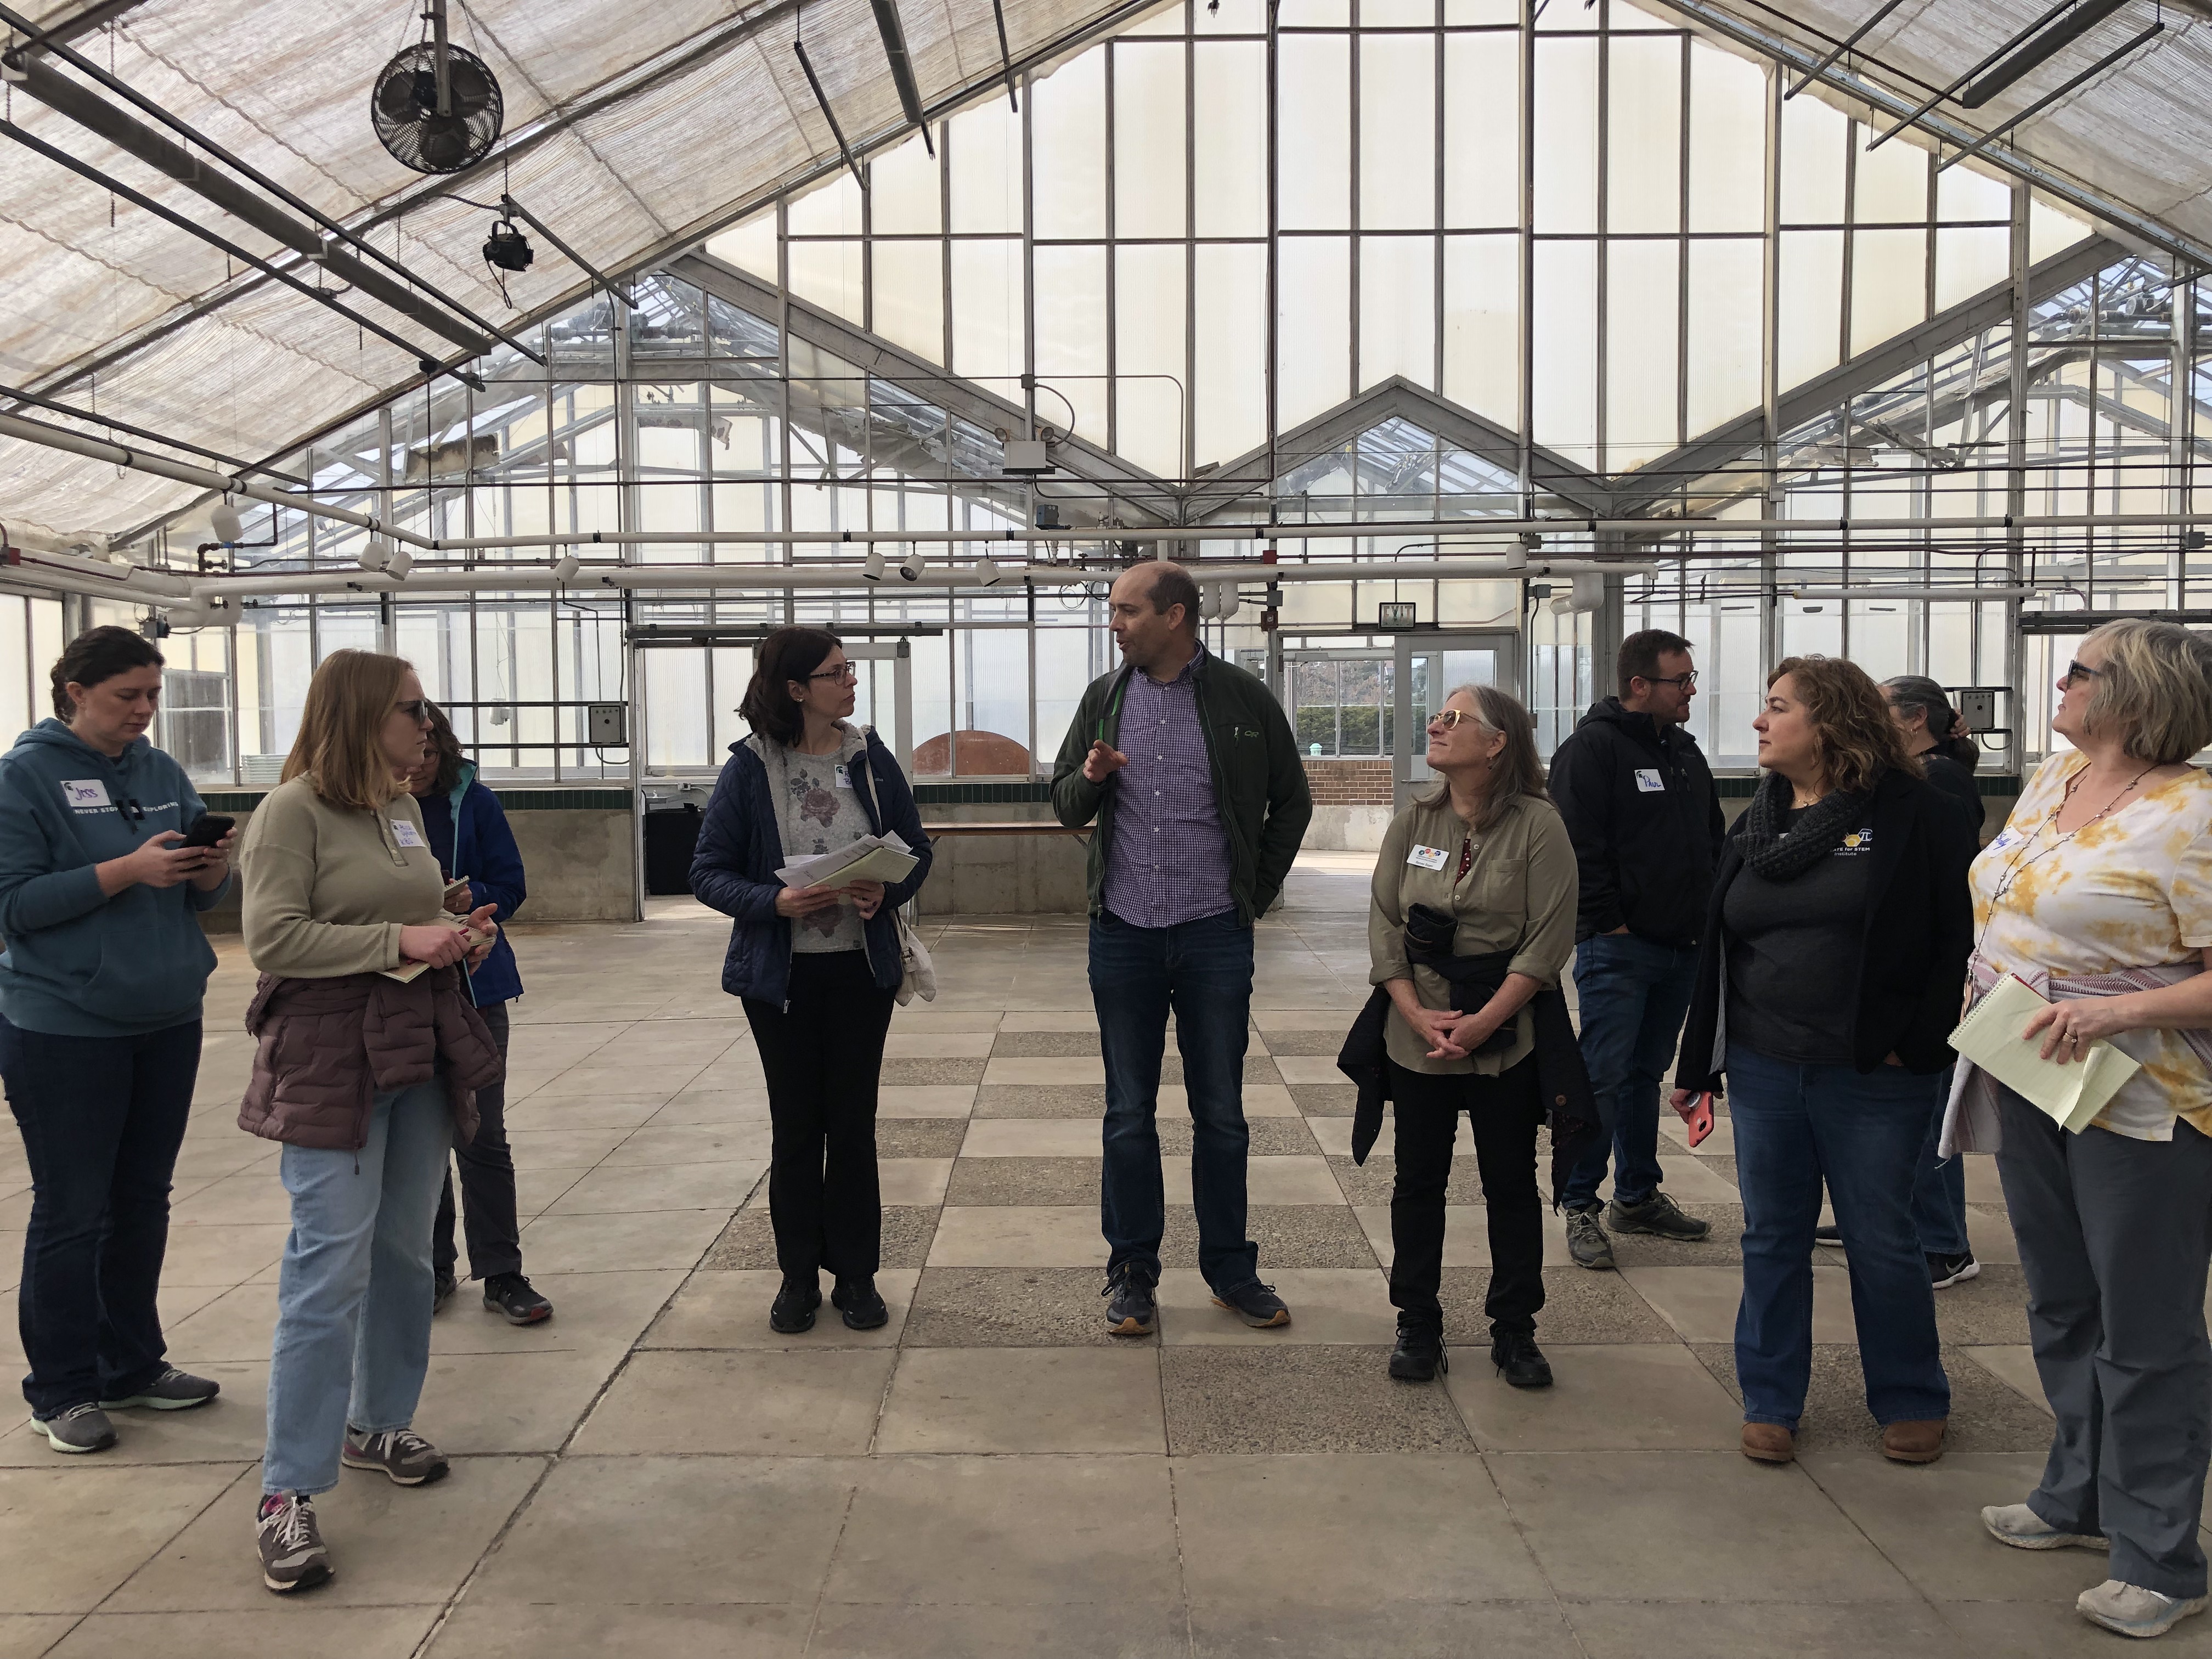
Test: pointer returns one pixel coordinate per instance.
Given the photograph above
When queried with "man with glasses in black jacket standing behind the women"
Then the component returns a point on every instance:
(1647, 824)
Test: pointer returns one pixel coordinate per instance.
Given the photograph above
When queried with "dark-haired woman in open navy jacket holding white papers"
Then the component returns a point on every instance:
(815, 966)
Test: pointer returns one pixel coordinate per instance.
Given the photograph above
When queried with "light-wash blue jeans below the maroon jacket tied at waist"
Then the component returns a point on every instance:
(355, 1291)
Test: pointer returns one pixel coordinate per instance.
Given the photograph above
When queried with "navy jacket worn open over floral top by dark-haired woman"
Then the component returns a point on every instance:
(735, 870)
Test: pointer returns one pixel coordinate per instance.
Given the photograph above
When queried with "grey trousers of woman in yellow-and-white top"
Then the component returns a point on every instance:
(2114, 1242)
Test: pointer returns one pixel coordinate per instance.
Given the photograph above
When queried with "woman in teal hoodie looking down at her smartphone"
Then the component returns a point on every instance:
(101, 999)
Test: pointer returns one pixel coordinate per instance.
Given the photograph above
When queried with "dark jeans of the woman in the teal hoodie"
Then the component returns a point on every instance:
(103, 1120)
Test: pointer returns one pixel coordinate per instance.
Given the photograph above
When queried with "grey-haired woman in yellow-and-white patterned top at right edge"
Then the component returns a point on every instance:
(2100, 895)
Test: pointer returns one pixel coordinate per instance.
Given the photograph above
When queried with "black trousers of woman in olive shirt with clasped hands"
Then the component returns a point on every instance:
(1505, 1114)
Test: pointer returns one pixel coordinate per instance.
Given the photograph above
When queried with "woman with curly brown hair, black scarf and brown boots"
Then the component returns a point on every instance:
(1826, 992)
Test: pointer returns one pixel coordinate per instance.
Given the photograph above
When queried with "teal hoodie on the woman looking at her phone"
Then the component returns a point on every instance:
(79, 963)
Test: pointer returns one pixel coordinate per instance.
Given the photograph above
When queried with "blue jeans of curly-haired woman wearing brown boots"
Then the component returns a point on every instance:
(1797, 1127)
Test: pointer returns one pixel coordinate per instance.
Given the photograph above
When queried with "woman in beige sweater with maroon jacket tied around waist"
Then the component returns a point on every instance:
(368, 1056)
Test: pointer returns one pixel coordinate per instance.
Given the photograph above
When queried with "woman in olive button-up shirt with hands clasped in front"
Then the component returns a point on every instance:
(1488, 851)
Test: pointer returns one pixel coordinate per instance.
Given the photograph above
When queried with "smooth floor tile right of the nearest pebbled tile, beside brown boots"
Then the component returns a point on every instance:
(1605, 1397)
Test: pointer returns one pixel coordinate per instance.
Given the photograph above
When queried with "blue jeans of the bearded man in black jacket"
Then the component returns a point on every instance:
(1634, 997)
